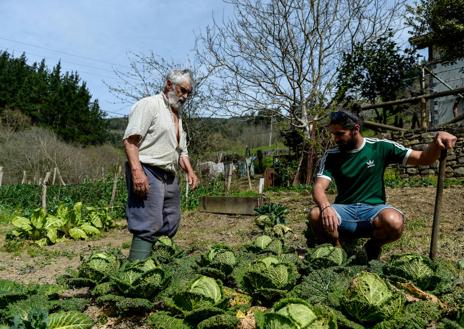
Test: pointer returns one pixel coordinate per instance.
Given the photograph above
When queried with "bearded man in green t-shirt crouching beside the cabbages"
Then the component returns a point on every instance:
(357, 166)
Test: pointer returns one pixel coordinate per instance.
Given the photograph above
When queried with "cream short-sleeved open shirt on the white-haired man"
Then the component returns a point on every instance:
(152, 119)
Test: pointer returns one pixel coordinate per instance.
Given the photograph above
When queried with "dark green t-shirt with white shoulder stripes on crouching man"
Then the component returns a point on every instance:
(359, 173)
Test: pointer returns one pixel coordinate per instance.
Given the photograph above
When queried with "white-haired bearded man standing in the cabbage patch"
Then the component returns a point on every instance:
(155, 145)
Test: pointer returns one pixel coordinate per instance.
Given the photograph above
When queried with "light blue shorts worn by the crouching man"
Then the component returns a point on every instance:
(356, 219)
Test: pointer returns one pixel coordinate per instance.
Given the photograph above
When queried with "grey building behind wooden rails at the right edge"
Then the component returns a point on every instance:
(443, 76)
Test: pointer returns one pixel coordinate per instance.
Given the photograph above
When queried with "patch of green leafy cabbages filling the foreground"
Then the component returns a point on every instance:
(264, 282)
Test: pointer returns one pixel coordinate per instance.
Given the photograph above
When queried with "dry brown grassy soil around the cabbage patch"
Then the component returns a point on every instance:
(30, 264)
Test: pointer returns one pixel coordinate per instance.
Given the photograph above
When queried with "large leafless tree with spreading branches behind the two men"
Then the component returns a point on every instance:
(281, 56)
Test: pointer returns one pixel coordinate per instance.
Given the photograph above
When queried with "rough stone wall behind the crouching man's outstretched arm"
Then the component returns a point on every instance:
(419, 141)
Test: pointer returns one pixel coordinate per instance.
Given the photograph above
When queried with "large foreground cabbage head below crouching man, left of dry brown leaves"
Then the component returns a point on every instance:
(369, 299)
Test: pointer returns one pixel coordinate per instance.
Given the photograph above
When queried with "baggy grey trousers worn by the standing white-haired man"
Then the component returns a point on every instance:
(158, 213)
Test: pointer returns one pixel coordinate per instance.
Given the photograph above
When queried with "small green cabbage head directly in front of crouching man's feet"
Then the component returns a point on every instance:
(325, 255)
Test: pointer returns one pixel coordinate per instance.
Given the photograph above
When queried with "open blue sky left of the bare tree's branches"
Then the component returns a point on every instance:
(96, 37)
